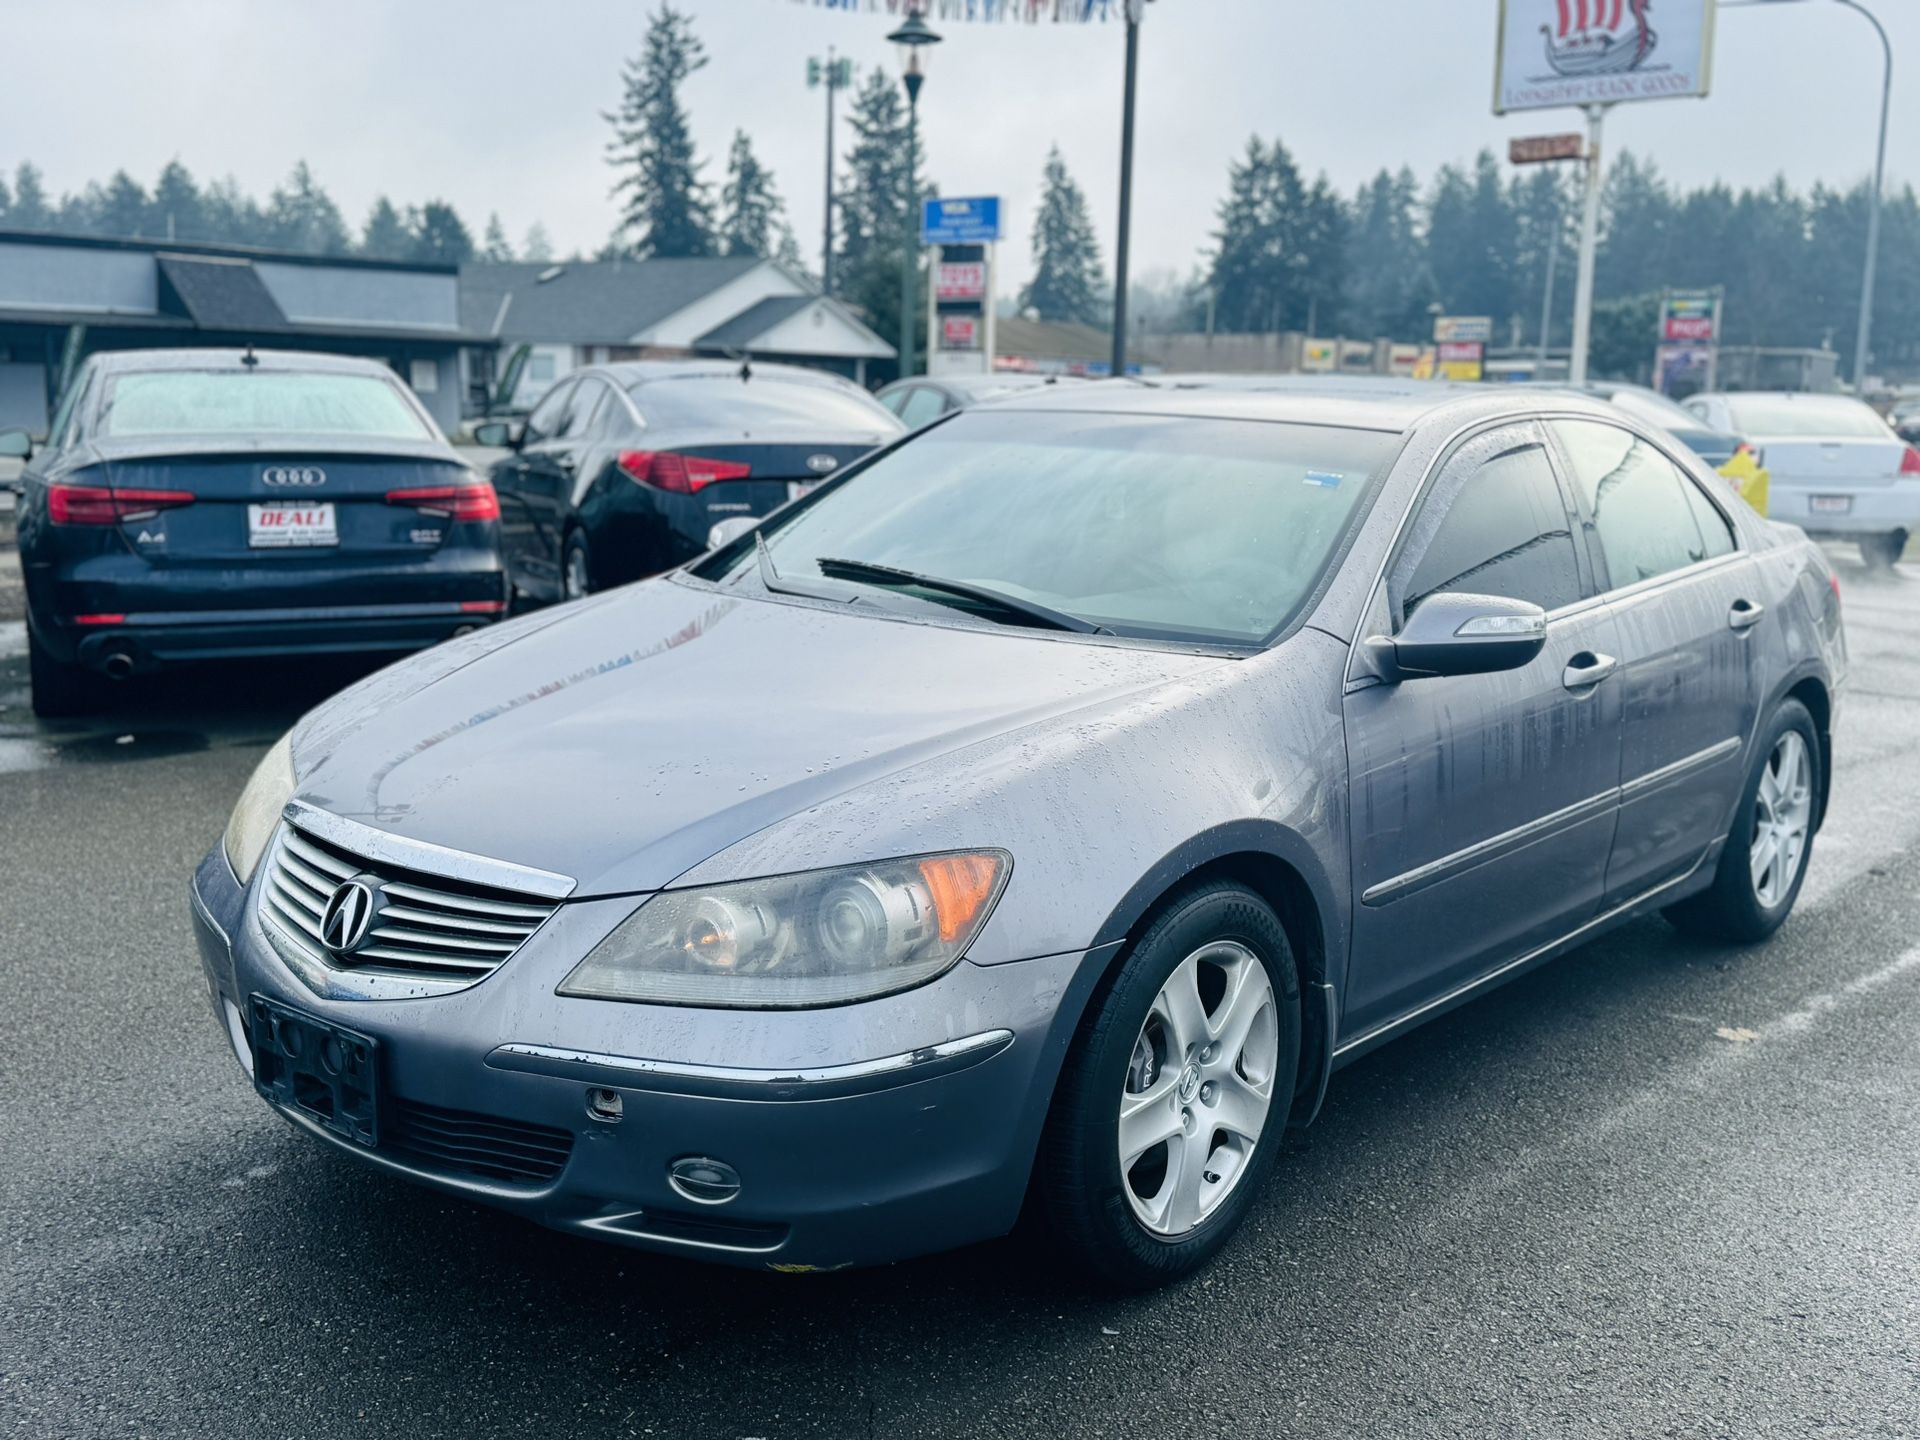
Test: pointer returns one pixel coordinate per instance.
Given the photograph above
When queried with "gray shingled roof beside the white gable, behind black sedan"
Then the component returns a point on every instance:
(602, 302)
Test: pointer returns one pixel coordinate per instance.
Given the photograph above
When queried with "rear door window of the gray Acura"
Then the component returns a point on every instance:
(1643, 514)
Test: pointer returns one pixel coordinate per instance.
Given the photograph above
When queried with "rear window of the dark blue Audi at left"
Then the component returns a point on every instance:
(258, 404)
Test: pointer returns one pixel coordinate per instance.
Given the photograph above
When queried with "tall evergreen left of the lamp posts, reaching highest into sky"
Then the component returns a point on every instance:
(663, 204)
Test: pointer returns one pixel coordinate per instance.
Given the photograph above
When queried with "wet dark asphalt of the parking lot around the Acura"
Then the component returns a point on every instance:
(1656, 1189)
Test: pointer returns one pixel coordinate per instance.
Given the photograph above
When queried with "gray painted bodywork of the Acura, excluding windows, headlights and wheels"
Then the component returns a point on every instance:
(1418, 844)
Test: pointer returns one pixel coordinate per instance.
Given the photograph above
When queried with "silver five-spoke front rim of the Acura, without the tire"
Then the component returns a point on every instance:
(1199, 1088)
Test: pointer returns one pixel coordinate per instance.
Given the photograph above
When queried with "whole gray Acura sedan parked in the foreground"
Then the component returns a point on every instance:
(1042, 809)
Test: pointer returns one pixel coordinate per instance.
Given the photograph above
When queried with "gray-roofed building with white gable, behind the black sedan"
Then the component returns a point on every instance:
(544, 320)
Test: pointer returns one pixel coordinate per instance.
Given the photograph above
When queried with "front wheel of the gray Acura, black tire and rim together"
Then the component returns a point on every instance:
(1174, 1101)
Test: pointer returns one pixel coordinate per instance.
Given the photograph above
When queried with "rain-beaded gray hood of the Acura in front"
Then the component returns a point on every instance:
(627, 738)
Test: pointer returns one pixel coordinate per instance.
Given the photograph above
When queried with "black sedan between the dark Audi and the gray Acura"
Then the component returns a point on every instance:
(625, 469)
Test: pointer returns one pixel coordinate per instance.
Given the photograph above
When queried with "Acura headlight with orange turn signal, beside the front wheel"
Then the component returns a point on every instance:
(811, 940)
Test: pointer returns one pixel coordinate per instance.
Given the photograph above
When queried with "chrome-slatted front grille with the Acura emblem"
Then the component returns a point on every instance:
(427, 924)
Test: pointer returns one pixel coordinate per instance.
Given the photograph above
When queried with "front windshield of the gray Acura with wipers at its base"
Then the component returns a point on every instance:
(1161, 527)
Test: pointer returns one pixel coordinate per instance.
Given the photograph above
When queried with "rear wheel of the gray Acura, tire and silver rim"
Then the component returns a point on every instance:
(1771, 844)
